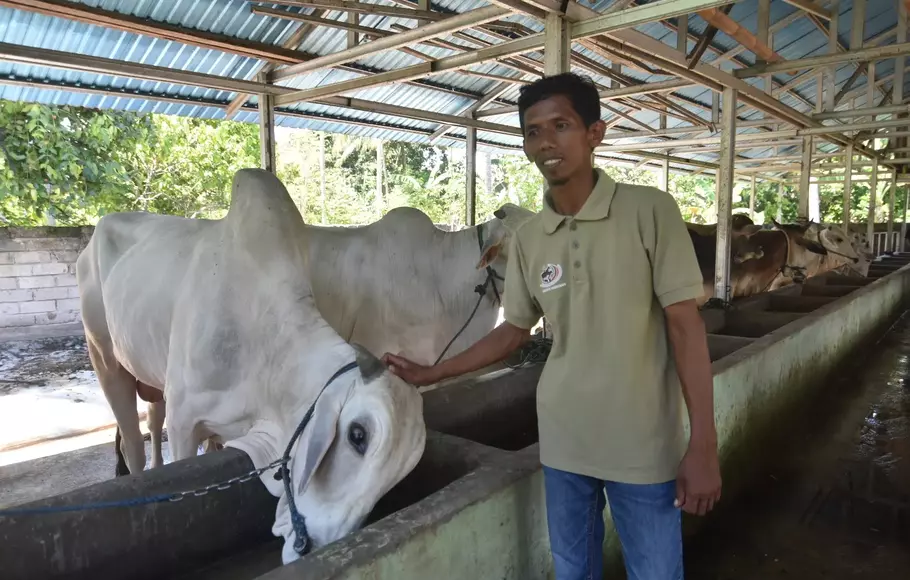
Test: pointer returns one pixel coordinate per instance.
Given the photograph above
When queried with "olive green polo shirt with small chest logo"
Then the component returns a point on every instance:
(609, 401)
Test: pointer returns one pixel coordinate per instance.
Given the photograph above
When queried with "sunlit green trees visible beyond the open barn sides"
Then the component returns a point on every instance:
(78, 164)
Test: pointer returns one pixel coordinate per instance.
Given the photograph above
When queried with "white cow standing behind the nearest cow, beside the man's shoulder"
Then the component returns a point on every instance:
(402, 285)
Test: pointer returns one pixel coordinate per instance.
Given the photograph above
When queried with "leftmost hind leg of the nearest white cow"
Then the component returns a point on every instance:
(119, 388)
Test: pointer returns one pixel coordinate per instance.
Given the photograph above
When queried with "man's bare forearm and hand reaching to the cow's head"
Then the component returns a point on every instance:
(492, 348)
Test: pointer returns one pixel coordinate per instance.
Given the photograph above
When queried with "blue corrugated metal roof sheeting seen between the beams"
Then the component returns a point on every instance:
(449, 93)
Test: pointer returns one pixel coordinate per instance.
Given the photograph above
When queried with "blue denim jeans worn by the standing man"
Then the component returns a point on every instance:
(649, 527)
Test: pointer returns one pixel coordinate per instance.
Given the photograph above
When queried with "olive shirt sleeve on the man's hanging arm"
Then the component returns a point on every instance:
(674, 267)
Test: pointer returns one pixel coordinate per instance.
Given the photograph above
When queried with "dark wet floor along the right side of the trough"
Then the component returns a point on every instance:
(834, 503)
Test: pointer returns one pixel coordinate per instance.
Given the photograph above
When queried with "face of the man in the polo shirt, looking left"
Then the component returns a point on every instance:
(557, 141)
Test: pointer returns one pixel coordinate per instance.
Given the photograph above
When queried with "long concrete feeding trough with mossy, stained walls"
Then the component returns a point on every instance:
(475, 502)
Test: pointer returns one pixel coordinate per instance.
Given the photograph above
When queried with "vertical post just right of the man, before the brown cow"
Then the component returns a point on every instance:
(725, 179)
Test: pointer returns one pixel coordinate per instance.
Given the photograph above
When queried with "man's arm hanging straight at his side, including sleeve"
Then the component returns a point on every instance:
(677, 283)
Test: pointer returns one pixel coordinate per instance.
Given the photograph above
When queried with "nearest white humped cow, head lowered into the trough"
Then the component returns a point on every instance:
(220, 316)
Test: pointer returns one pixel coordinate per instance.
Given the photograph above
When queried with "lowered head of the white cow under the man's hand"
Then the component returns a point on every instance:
(367, 433)
